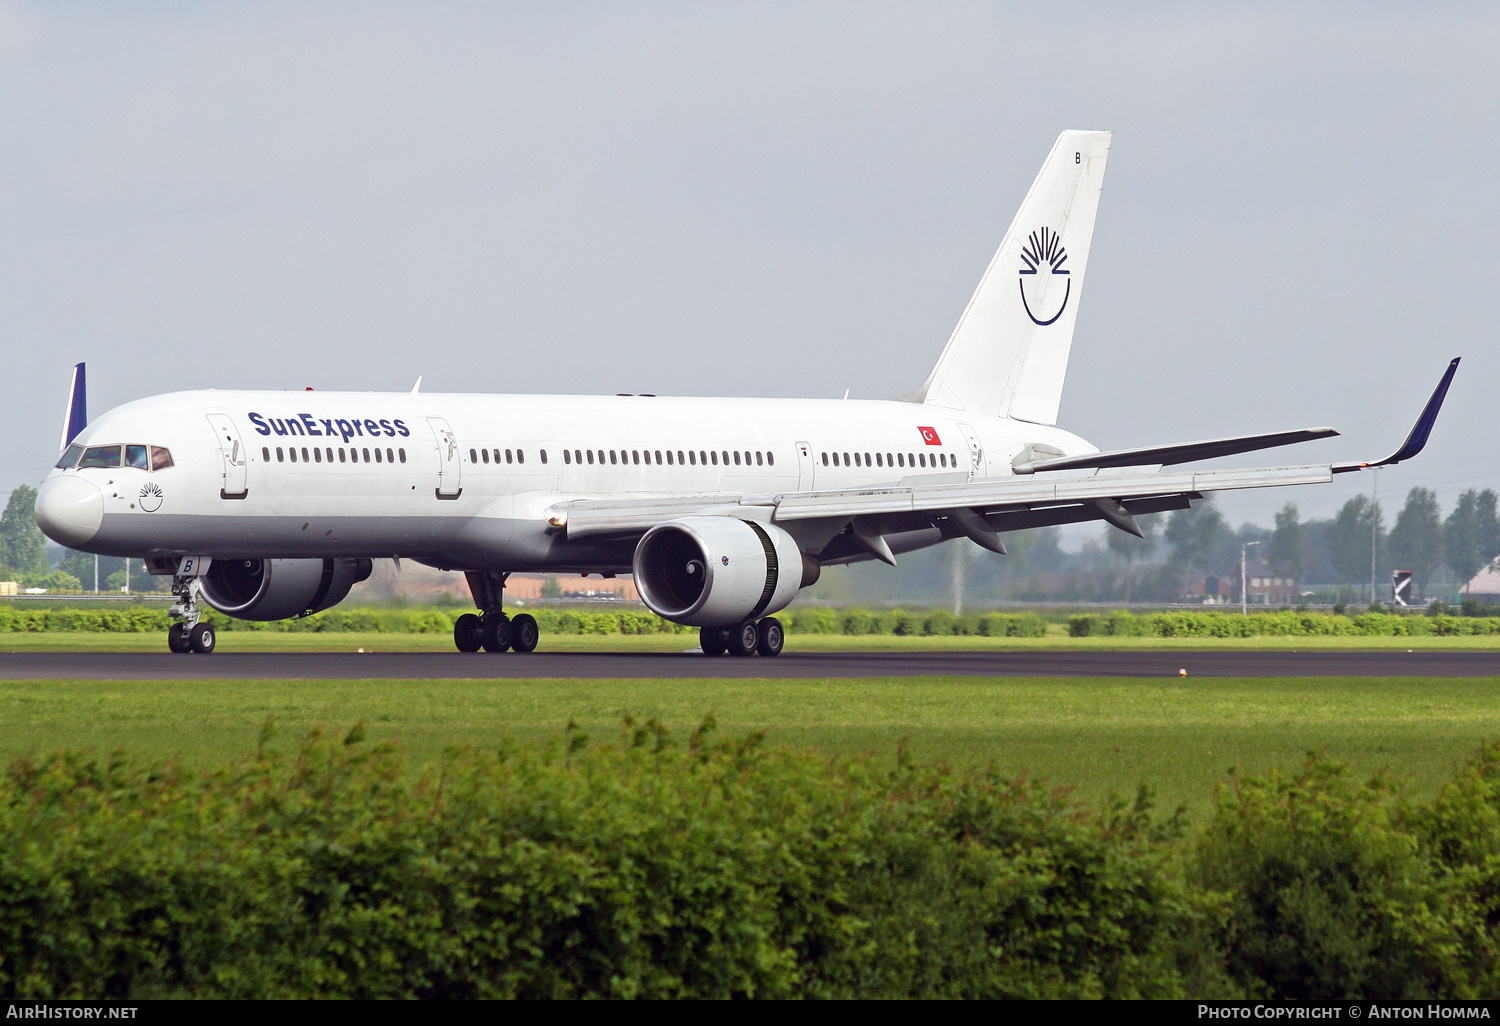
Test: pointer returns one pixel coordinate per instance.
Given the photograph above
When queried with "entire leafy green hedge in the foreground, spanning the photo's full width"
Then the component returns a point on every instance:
(728, 869)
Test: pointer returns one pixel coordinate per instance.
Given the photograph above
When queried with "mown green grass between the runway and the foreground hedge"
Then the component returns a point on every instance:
(1097, 736)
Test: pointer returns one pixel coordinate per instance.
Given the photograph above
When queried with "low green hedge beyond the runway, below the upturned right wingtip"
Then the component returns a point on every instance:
(1226, 625)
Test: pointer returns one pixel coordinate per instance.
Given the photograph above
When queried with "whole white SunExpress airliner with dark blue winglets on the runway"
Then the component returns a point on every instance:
(272, 505)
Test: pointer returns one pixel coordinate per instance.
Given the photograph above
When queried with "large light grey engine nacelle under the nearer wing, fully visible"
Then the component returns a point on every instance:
(716, 571)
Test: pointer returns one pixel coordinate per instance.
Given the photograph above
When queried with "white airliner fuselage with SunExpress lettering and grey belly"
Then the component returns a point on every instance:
(284, 475)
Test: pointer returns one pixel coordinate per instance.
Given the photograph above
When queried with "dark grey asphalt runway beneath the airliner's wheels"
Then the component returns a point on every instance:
(137, 667)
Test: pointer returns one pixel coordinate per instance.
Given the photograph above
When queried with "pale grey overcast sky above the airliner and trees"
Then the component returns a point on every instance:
(1298, 227)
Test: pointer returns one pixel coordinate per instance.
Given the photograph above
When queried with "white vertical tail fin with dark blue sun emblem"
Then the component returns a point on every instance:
(1010, 353)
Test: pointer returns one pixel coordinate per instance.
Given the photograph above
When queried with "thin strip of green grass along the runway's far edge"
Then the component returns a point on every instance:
(338, 643)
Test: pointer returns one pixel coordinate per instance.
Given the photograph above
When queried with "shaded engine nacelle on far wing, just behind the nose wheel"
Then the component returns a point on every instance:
(280, 589)
